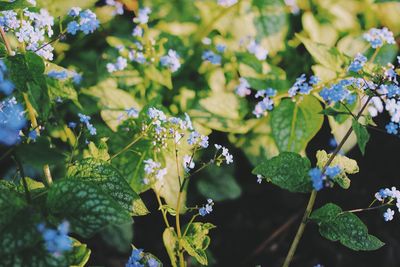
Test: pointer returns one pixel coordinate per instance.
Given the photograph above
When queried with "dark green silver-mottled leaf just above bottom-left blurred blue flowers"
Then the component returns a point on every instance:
(85, 206)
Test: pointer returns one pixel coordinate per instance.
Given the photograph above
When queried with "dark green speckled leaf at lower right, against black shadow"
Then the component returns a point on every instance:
(344, 227)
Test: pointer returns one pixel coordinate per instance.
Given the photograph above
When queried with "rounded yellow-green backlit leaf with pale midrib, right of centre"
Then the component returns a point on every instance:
(294, 124)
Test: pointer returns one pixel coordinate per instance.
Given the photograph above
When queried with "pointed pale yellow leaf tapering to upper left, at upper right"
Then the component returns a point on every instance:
(327, 56)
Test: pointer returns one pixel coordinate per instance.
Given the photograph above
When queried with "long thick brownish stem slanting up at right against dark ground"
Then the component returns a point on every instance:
(313, 195)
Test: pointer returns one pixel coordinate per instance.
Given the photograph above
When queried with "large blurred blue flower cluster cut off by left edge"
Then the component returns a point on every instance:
(12, 120)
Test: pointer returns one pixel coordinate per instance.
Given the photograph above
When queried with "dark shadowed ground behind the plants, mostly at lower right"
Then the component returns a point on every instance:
(258, 227)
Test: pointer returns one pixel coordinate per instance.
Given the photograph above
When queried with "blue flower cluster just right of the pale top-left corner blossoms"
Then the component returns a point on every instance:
(84, 21)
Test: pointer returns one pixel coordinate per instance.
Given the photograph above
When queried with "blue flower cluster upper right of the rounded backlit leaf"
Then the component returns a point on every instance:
(339, 92)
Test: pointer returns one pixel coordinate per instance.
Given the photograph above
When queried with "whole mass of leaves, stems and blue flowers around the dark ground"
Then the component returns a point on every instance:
(102, 101)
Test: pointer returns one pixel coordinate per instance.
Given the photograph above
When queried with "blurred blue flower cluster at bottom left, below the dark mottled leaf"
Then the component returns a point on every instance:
(57, 240)
